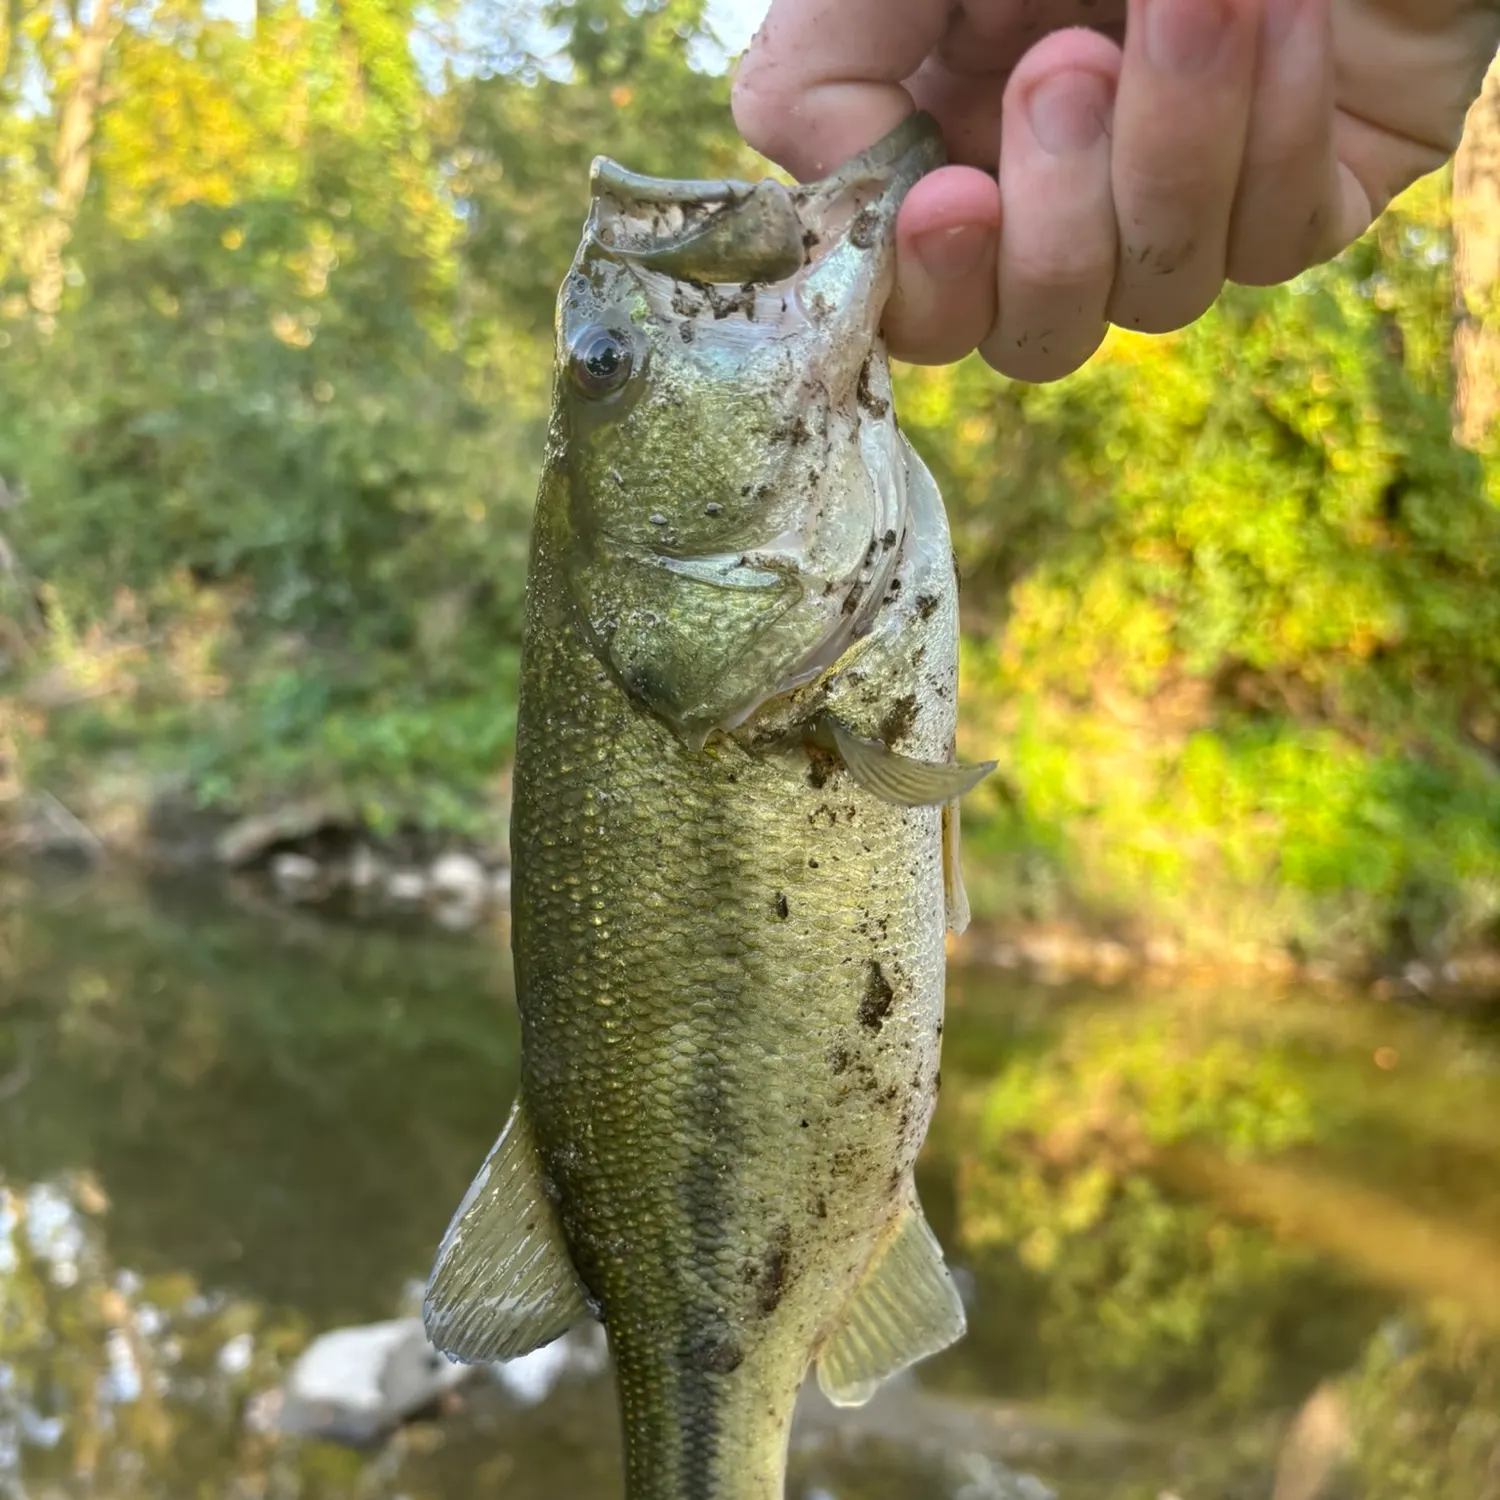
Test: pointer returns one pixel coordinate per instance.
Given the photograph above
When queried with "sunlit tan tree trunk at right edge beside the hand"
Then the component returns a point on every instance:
(1477, 271)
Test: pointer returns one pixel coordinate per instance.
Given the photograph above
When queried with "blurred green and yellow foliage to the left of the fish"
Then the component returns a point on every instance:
(283, 445)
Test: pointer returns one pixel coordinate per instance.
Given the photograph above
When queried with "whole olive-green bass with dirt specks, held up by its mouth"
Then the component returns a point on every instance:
(734, 832)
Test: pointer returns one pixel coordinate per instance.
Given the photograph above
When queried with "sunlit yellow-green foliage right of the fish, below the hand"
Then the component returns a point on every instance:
(1243, 629)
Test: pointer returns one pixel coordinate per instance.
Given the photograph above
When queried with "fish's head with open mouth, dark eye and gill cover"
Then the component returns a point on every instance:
(734, 490)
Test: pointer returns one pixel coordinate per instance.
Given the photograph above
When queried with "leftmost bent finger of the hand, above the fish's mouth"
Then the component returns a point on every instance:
(823, 79)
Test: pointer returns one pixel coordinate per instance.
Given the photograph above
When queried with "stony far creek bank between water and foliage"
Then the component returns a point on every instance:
(317, 856)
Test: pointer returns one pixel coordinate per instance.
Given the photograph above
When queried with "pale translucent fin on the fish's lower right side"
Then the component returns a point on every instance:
(905, 1310)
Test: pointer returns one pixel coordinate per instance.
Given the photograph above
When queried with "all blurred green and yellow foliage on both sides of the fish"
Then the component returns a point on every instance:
(1231, 596)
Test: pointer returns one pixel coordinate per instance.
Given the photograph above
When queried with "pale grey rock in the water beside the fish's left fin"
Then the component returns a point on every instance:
(358, 1384)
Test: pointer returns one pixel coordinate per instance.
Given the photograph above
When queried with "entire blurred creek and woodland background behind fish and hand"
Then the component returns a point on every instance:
(1217, 1157)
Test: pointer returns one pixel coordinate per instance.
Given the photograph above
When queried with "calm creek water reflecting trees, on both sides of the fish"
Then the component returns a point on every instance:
(1219, 1246)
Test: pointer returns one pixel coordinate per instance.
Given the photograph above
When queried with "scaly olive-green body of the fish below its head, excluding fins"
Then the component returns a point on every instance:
(730, 1031)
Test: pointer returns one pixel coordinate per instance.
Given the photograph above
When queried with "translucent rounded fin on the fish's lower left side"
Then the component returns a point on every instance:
(503, 1283)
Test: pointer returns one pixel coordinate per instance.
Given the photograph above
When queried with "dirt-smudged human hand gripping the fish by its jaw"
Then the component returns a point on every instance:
(1117, 175)
